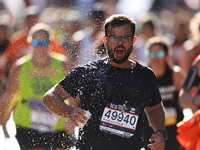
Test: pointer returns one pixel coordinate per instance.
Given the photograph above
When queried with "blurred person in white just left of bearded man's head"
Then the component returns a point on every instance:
(91, 34)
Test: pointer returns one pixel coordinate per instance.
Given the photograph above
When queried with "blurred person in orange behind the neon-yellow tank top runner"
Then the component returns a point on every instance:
(19, 46)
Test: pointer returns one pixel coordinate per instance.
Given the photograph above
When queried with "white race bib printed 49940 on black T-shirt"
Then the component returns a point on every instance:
(119, 120)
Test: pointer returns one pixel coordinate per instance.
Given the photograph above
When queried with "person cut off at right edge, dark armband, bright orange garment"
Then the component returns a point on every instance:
(189, 97)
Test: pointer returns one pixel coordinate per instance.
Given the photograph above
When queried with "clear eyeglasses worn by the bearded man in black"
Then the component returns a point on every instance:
(115, 38)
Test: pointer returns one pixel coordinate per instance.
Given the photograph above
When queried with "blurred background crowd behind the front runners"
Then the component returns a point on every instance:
(77, 29)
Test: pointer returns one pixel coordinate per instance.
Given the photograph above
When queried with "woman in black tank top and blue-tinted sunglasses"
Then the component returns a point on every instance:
(169, 79)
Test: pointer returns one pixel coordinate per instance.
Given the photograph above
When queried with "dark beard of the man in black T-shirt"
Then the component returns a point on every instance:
(127, 52)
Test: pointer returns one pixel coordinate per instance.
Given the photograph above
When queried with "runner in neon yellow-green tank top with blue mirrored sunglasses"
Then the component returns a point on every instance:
(30, 77)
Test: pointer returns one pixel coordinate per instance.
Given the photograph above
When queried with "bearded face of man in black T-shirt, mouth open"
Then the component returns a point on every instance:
(119, 43)
